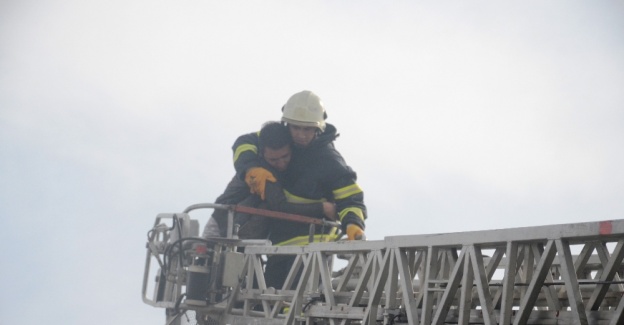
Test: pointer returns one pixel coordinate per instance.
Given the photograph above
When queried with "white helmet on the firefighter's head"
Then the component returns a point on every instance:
(304, 109)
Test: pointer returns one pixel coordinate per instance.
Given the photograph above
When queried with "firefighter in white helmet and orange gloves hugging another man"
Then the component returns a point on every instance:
(317, 172)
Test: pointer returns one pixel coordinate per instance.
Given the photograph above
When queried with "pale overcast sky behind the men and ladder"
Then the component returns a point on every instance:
(456, 116)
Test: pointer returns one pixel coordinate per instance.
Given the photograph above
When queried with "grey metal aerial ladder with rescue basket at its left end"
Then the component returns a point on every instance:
(553, 274)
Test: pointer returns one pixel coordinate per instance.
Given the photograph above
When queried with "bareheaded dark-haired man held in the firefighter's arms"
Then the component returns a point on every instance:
(275, 155)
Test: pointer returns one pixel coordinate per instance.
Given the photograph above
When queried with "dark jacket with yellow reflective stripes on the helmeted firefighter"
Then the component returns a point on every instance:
(315, 174)
